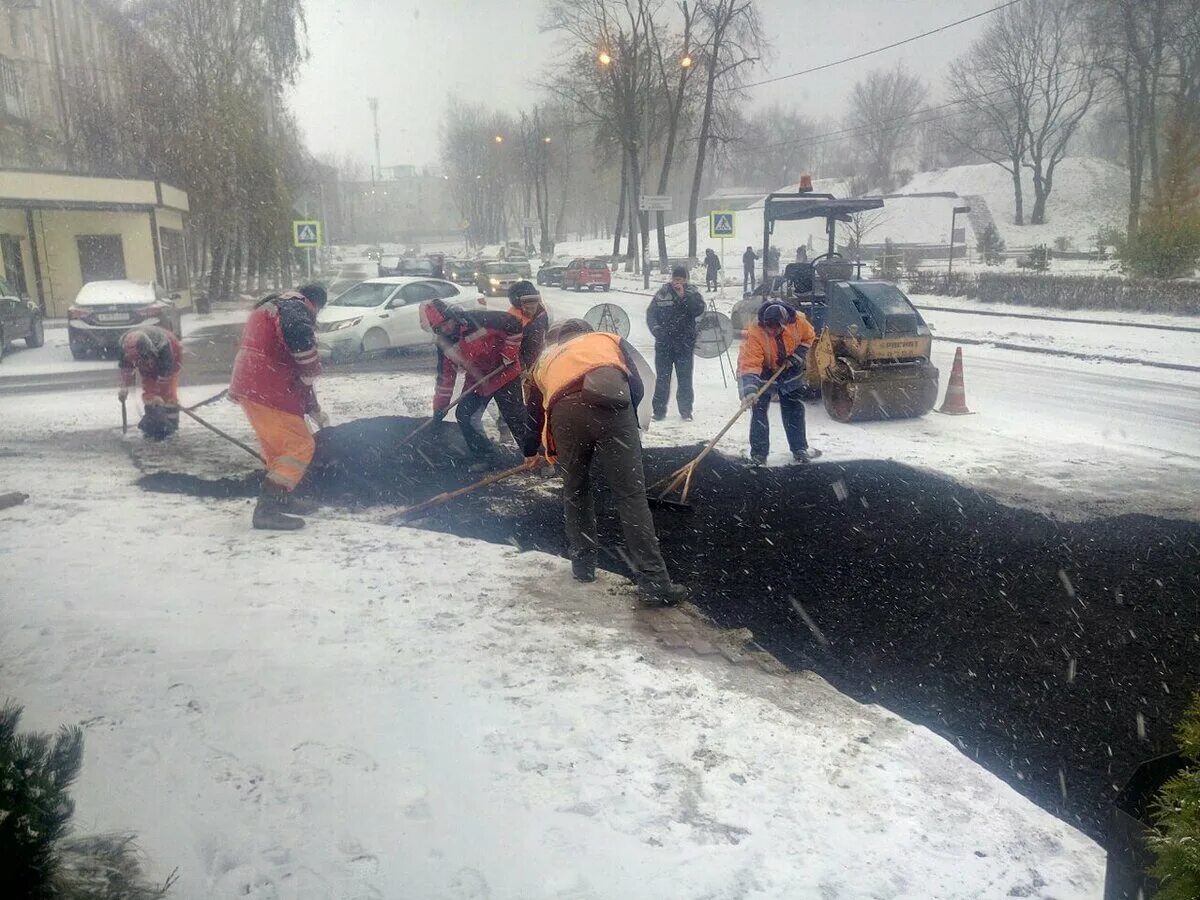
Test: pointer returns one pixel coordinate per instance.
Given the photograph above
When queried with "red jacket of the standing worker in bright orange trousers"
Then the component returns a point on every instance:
(278, 362)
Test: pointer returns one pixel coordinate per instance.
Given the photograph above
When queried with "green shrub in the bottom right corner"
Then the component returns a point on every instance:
(1177, 837)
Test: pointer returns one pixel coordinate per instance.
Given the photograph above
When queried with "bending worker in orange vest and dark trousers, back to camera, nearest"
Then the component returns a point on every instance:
(583, 399)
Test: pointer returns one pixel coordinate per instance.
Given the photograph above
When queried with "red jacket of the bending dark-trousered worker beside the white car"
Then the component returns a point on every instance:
(487, 341)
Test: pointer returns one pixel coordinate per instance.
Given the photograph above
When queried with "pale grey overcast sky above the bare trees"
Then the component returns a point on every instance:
(415, 55)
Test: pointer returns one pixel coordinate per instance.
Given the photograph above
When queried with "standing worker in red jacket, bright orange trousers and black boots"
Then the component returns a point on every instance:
(273, 380)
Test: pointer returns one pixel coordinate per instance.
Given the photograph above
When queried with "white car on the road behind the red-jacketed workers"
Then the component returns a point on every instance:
(382, 314)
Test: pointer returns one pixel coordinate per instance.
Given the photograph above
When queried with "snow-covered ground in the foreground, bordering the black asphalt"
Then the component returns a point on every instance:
(362, 711)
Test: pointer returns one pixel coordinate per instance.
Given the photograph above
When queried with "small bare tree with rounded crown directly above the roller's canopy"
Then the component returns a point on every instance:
(883, 105)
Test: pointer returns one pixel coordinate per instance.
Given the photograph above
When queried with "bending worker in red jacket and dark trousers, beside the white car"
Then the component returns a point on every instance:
(487, 347)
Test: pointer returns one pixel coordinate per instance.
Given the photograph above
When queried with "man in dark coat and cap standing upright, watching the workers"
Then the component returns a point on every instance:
(671, 319)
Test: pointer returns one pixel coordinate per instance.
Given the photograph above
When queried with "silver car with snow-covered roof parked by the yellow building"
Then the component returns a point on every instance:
(105, 310)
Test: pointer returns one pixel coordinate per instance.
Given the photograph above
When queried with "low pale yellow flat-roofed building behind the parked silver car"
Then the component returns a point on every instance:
(59, 231)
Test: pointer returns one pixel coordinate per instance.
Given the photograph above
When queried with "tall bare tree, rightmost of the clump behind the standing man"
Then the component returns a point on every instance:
(731, 40)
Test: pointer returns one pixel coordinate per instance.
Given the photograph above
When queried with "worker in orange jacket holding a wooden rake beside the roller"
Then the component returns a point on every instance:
(782, 338)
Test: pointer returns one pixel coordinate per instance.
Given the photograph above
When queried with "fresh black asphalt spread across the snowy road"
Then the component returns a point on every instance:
(1057, 655)
